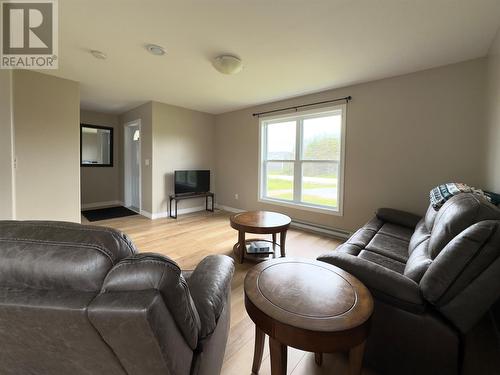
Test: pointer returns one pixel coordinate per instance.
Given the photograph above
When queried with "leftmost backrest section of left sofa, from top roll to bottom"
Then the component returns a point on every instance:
(50, 272)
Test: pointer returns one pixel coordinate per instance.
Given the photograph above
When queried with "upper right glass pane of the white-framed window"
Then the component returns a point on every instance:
(321, 138)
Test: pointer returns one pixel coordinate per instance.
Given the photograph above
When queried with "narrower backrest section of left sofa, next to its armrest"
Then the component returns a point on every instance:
(147, 316)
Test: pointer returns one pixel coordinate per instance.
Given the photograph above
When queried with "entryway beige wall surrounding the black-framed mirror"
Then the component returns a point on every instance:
(102, 185)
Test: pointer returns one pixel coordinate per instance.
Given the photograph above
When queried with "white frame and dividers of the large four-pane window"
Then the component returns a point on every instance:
(299, 117)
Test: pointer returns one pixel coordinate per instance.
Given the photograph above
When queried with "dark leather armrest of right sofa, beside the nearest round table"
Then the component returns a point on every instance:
(385, 284)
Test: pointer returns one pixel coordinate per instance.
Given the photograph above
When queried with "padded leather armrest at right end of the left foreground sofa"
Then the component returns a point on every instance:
(210, 285)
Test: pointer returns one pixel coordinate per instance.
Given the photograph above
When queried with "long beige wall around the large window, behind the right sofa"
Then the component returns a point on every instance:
(404, 136)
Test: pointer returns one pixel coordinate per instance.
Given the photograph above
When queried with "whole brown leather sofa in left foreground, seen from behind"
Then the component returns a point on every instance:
(78, 299)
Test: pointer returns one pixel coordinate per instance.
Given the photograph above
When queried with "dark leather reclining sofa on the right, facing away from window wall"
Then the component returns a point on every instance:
(432, 279)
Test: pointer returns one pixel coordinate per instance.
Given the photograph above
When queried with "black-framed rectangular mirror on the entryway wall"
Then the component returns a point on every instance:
(96, 146)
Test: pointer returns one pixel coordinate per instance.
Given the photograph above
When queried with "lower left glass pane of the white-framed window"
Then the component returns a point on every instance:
(279, 181)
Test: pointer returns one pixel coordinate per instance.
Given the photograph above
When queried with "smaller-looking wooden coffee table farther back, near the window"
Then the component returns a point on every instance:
(259, 222)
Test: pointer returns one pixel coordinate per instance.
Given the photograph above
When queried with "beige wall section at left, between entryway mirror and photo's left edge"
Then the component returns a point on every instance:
(47, 147)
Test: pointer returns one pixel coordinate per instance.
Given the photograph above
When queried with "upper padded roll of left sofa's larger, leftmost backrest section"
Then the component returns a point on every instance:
(48, 255)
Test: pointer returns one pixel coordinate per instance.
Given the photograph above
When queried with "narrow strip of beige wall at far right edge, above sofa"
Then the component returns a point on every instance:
(493, 135)
